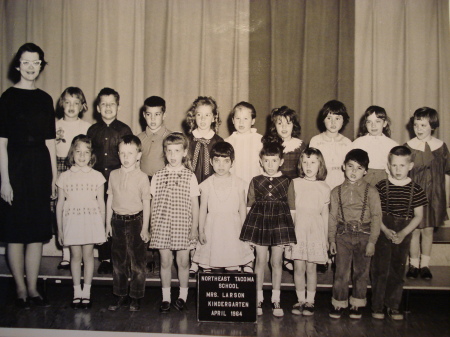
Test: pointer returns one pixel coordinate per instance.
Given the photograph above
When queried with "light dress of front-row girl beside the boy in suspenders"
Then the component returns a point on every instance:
(310, 199)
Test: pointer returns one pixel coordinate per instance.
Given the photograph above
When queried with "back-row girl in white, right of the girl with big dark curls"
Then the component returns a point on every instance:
(333, 117)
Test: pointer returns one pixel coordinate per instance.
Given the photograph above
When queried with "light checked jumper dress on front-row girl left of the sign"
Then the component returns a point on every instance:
(171, 218)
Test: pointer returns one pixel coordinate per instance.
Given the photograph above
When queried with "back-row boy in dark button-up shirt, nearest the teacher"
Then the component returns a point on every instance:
(106, 135)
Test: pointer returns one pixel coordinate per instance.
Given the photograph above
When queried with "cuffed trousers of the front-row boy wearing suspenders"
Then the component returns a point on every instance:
(351, 247)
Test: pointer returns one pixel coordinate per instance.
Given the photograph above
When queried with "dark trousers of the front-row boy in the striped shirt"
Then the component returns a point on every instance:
(388, 266)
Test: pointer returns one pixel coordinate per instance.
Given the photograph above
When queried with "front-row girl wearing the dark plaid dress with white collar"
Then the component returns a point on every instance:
(269, 221)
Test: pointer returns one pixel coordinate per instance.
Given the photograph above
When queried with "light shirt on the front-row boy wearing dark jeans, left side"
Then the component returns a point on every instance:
(128, 190)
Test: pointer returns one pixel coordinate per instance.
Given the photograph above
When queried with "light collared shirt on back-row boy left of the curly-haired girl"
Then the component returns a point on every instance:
(152, 159)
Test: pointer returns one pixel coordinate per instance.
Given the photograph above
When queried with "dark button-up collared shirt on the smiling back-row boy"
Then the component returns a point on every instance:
(105, 141)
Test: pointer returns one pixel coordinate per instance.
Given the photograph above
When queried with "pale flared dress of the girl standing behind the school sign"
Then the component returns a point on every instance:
(223, 226)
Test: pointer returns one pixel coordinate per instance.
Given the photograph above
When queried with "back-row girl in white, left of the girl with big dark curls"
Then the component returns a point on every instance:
(246, 142)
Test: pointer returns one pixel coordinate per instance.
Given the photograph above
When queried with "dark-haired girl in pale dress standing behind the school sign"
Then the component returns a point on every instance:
(222, 213)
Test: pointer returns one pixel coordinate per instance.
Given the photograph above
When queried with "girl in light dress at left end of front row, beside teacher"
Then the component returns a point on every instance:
(80, 214)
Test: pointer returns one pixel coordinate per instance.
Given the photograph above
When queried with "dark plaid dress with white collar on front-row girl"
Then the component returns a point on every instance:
(269, 221)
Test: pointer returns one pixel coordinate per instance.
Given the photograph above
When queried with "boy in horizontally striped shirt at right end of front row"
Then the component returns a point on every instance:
(402, 202)
